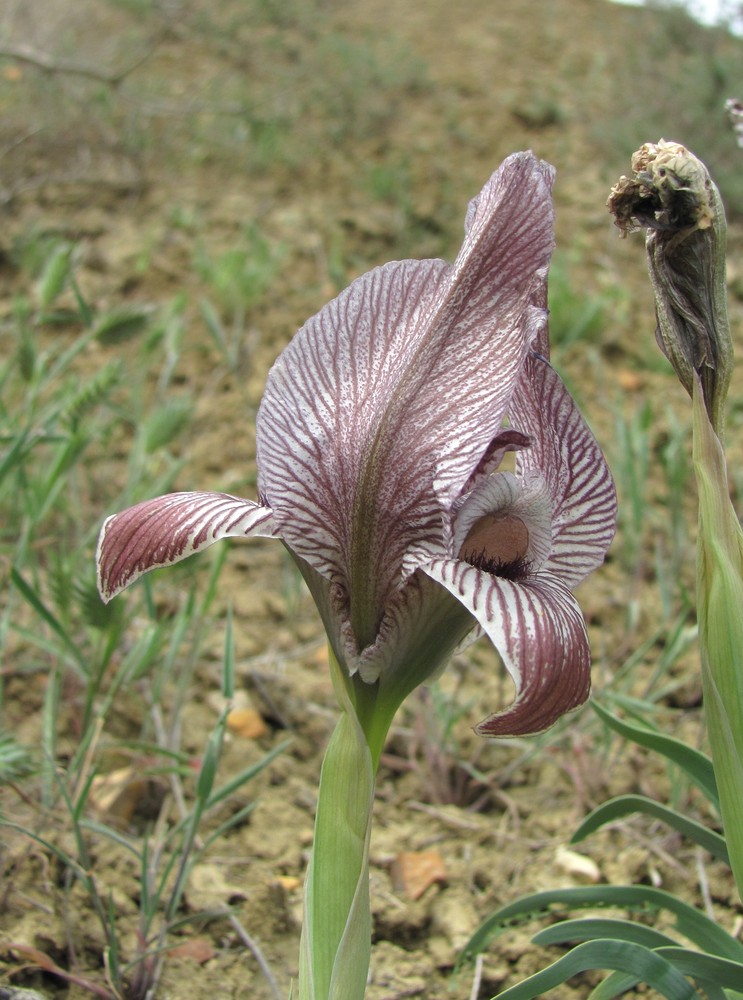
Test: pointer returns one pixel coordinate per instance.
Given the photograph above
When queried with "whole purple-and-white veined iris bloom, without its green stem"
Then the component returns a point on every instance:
(382, 443)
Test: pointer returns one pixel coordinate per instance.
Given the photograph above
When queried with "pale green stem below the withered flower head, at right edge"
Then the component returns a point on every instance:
(720, 615)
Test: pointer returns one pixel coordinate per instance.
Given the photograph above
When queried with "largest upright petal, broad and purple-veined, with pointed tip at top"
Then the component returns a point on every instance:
(382, 405)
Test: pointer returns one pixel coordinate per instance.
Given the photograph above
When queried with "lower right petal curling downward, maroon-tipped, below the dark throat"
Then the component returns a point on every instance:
(538, 629)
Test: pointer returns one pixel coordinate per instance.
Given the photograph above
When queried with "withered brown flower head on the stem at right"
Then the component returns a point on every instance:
(673, 196)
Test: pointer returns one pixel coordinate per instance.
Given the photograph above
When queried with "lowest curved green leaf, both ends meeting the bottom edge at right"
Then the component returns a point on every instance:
(647, 965)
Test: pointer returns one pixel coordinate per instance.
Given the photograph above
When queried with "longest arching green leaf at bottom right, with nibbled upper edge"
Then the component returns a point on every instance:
(690, 922)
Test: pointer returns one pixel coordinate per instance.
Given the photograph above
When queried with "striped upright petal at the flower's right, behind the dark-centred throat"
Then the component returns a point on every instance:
(579, 482)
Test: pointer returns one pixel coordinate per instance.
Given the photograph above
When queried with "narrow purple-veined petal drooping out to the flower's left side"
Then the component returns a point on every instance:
(170, 528)
